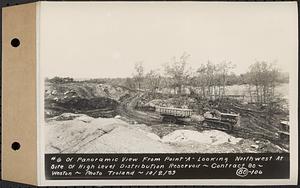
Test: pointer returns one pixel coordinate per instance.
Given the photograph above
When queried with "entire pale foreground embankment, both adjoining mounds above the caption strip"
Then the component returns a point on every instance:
(79, 133)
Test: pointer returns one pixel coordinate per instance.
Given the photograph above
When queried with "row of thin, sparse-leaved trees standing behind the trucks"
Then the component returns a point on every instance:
(209, 80)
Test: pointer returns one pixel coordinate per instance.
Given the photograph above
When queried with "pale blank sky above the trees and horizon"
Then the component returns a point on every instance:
(97, 40)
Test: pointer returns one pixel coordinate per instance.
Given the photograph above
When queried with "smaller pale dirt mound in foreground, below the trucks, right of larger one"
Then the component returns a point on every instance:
(213, 141)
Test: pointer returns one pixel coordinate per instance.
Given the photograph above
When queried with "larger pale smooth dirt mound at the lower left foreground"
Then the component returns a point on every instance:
(100, 135)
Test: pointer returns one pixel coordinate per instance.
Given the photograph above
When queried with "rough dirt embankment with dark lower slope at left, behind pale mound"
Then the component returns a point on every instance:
(96, 100)
